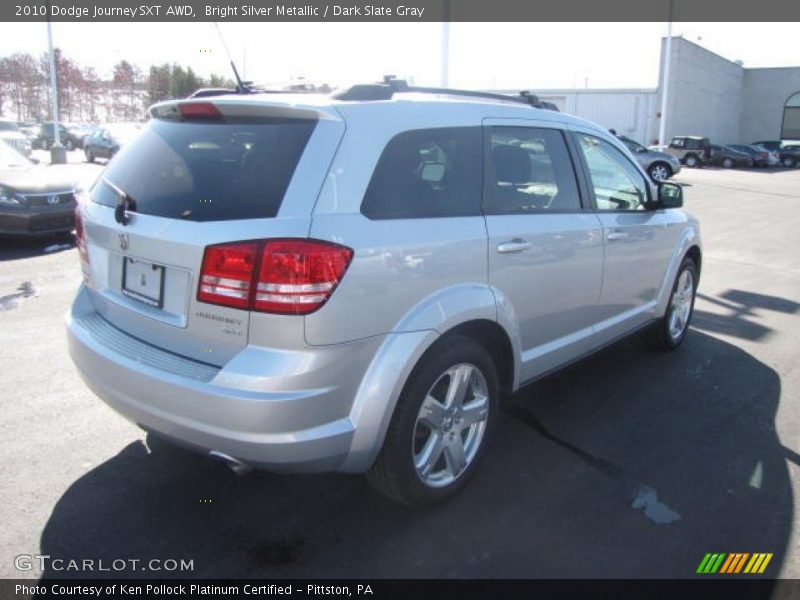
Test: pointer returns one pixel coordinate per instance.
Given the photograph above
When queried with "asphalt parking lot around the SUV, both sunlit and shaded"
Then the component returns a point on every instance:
(629, 464)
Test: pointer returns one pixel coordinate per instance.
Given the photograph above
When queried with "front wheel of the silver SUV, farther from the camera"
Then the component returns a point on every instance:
(668, 332)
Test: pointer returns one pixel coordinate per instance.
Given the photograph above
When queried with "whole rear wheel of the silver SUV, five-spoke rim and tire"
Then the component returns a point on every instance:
(440, 425)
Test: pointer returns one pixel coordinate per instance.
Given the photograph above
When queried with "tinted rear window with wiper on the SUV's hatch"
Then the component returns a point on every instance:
(206, 171)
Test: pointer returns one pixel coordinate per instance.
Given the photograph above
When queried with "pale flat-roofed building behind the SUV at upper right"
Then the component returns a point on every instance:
(708, 95)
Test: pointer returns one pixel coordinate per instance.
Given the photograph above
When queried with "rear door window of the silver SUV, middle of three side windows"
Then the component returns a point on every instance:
(529, 170)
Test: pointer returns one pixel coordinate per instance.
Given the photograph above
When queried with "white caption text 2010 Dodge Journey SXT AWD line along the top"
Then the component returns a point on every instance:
(218, 11)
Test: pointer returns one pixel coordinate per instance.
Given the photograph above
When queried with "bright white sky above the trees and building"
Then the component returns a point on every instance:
(482, 55)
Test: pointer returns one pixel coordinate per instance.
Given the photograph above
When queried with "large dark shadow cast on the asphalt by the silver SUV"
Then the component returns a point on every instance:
(628, 464)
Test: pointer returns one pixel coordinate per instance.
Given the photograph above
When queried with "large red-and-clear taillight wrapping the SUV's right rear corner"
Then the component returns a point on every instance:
(278, 276)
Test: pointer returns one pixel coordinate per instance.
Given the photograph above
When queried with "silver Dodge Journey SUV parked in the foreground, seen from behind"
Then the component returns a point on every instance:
(354, 283)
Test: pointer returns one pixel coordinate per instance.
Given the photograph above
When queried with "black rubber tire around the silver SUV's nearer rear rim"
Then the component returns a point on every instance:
(394, 474)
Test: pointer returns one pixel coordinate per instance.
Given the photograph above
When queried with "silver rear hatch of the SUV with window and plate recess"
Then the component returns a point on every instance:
(200, 173)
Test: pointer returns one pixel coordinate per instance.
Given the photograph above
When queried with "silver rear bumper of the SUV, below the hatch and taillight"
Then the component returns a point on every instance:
(287, 423)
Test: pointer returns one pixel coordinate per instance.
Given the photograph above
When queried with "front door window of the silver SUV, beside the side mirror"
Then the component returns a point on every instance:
(616, 182)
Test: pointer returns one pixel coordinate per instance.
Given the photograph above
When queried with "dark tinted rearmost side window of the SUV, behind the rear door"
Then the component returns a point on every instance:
(427, 173)
